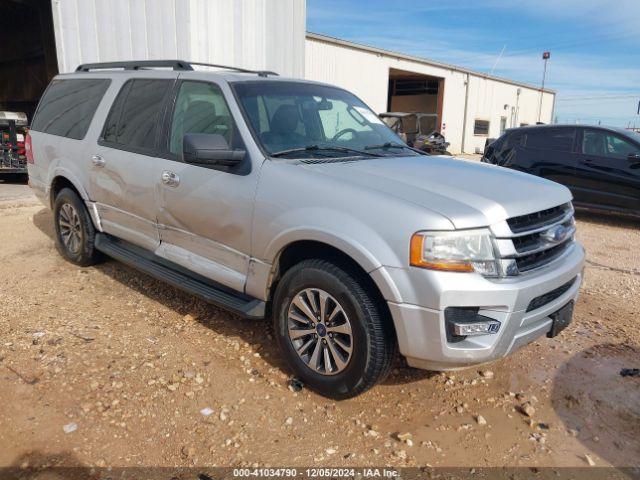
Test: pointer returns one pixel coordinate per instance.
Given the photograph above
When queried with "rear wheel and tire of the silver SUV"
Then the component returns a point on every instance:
(75, 233)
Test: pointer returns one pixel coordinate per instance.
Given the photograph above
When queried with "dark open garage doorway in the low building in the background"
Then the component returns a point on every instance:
(416, 93)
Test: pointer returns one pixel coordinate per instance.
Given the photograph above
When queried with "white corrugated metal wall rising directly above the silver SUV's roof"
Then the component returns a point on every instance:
(260, 34)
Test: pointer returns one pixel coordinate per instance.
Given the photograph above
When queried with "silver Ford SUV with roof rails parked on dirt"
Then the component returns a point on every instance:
(291, 200)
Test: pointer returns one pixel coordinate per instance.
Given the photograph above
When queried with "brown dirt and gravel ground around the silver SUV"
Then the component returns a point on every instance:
(105, 366)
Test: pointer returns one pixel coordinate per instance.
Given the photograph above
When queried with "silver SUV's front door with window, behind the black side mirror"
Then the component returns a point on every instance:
(204, 214)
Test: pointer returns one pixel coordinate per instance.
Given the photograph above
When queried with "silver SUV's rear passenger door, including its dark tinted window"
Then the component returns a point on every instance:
(124, 163)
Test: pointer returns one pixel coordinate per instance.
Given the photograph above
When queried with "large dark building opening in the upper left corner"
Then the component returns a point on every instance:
(28, 56)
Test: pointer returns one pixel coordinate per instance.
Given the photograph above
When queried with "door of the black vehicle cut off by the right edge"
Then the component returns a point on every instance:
(605, 176)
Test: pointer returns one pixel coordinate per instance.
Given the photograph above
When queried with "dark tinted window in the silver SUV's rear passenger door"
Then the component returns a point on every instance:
(135, 115)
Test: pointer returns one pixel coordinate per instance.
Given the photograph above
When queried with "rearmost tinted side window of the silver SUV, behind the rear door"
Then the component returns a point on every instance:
(68, 106)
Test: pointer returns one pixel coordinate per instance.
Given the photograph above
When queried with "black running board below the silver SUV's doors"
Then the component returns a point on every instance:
(180, 277)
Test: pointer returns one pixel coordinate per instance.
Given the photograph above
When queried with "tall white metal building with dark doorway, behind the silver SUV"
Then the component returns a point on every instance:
(40, 38)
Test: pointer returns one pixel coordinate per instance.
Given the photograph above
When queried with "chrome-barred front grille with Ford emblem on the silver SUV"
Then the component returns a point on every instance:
(531, 241)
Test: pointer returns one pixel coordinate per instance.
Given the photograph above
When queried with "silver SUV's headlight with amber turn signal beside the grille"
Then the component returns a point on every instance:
(463, 251)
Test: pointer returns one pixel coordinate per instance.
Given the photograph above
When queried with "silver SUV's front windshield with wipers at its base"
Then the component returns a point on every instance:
(307, 120)
